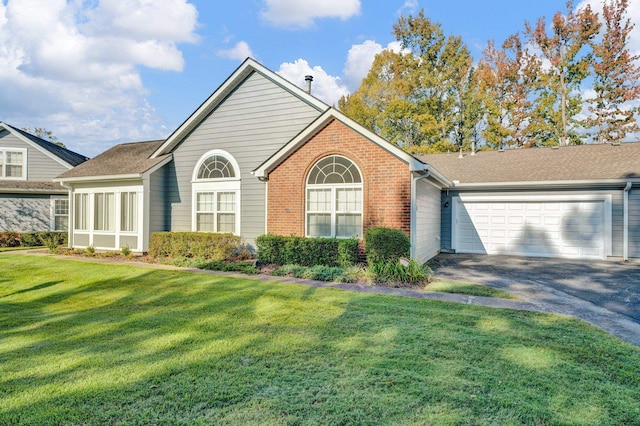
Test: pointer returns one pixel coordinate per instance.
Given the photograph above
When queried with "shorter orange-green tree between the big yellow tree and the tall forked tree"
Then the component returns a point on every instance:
(508, 77)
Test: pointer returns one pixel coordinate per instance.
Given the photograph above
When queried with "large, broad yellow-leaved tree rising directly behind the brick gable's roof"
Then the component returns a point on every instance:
(411, 97)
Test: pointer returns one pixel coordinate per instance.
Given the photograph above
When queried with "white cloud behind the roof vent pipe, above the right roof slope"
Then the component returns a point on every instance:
(326, 87)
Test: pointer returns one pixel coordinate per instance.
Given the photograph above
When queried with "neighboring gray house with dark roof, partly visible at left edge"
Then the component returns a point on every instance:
(29, 199)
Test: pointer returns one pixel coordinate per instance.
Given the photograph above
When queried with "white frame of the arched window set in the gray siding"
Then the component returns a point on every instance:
(216, 186)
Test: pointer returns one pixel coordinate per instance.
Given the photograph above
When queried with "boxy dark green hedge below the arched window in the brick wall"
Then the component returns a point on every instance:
(279, 250)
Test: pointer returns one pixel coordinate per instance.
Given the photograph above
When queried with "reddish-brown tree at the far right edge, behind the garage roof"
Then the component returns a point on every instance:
(616, 77)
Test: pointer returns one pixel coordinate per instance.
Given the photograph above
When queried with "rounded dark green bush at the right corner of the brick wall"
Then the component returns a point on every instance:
(384, 245)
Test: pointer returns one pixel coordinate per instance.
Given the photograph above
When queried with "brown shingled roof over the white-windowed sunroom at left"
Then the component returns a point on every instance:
(123, 161)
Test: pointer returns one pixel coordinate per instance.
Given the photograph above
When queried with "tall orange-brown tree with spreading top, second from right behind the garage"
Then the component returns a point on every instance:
(566, 66)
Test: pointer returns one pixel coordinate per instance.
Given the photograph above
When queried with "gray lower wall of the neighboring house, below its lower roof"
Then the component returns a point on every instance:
(25, 213)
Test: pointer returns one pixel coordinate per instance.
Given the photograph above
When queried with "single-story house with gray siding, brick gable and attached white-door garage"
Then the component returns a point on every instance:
(262, 155)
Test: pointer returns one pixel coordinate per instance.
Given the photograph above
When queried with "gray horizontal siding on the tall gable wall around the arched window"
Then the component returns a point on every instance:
(255, 120)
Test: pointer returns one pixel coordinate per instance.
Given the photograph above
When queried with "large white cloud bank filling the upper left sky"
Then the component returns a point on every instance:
(71, 66)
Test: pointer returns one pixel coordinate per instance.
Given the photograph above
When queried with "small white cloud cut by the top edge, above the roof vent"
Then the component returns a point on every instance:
(296, 14)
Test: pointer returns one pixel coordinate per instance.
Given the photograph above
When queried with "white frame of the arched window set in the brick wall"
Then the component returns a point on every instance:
(334, 213)
